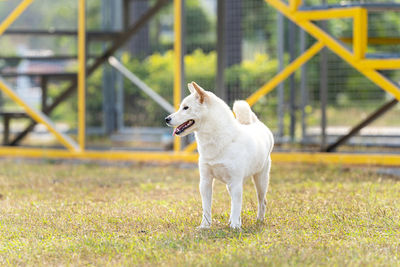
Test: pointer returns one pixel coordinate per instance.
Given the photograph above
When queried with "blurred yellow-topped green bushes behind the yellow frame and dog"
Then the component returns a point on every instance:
(157, 71)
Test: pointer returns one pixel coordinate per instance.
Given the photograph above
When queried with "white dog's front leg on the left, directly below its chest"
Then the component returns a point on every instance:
(206, 183)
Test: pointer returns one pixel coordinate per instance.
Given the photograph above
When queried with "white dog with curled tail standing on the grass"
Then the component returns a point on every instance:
(230, 149)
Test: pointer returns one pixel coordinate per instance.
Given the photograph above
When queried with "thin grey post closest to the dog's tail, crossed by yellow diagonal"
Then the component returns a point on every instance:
(281, 86)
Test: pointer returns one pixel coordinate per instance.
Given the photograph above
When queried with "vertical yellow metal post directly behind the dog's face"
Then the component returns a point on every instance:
(177, 63)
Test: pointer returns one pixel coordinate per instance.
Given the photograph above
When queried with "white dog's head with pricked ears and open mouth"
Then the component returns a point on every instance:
(191, 111)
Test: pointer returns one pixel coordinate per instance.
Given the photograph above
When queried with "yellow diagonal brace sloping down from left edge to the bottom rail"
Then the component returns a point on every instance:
(39, 117)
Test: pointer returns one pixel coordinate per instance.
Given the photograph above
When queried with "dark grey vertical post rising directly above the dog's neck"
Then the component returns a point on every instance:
(221, 52)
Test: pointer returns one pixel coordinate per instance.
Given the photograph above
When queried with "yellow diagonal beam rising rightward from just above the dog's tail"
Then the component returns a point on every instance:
(292, 67)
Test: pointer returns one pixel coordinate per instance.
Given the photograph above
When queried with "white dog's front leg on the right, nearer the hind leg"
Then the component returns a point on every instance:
(236, 192)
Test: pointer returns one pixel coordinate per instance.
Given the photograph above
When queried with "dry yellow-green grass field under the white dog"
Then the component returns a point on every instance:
(88, 214)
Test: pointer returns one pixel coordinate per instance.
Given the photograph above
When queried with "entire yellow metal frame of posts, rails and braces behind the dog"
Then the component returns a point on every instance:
(304, 19)
